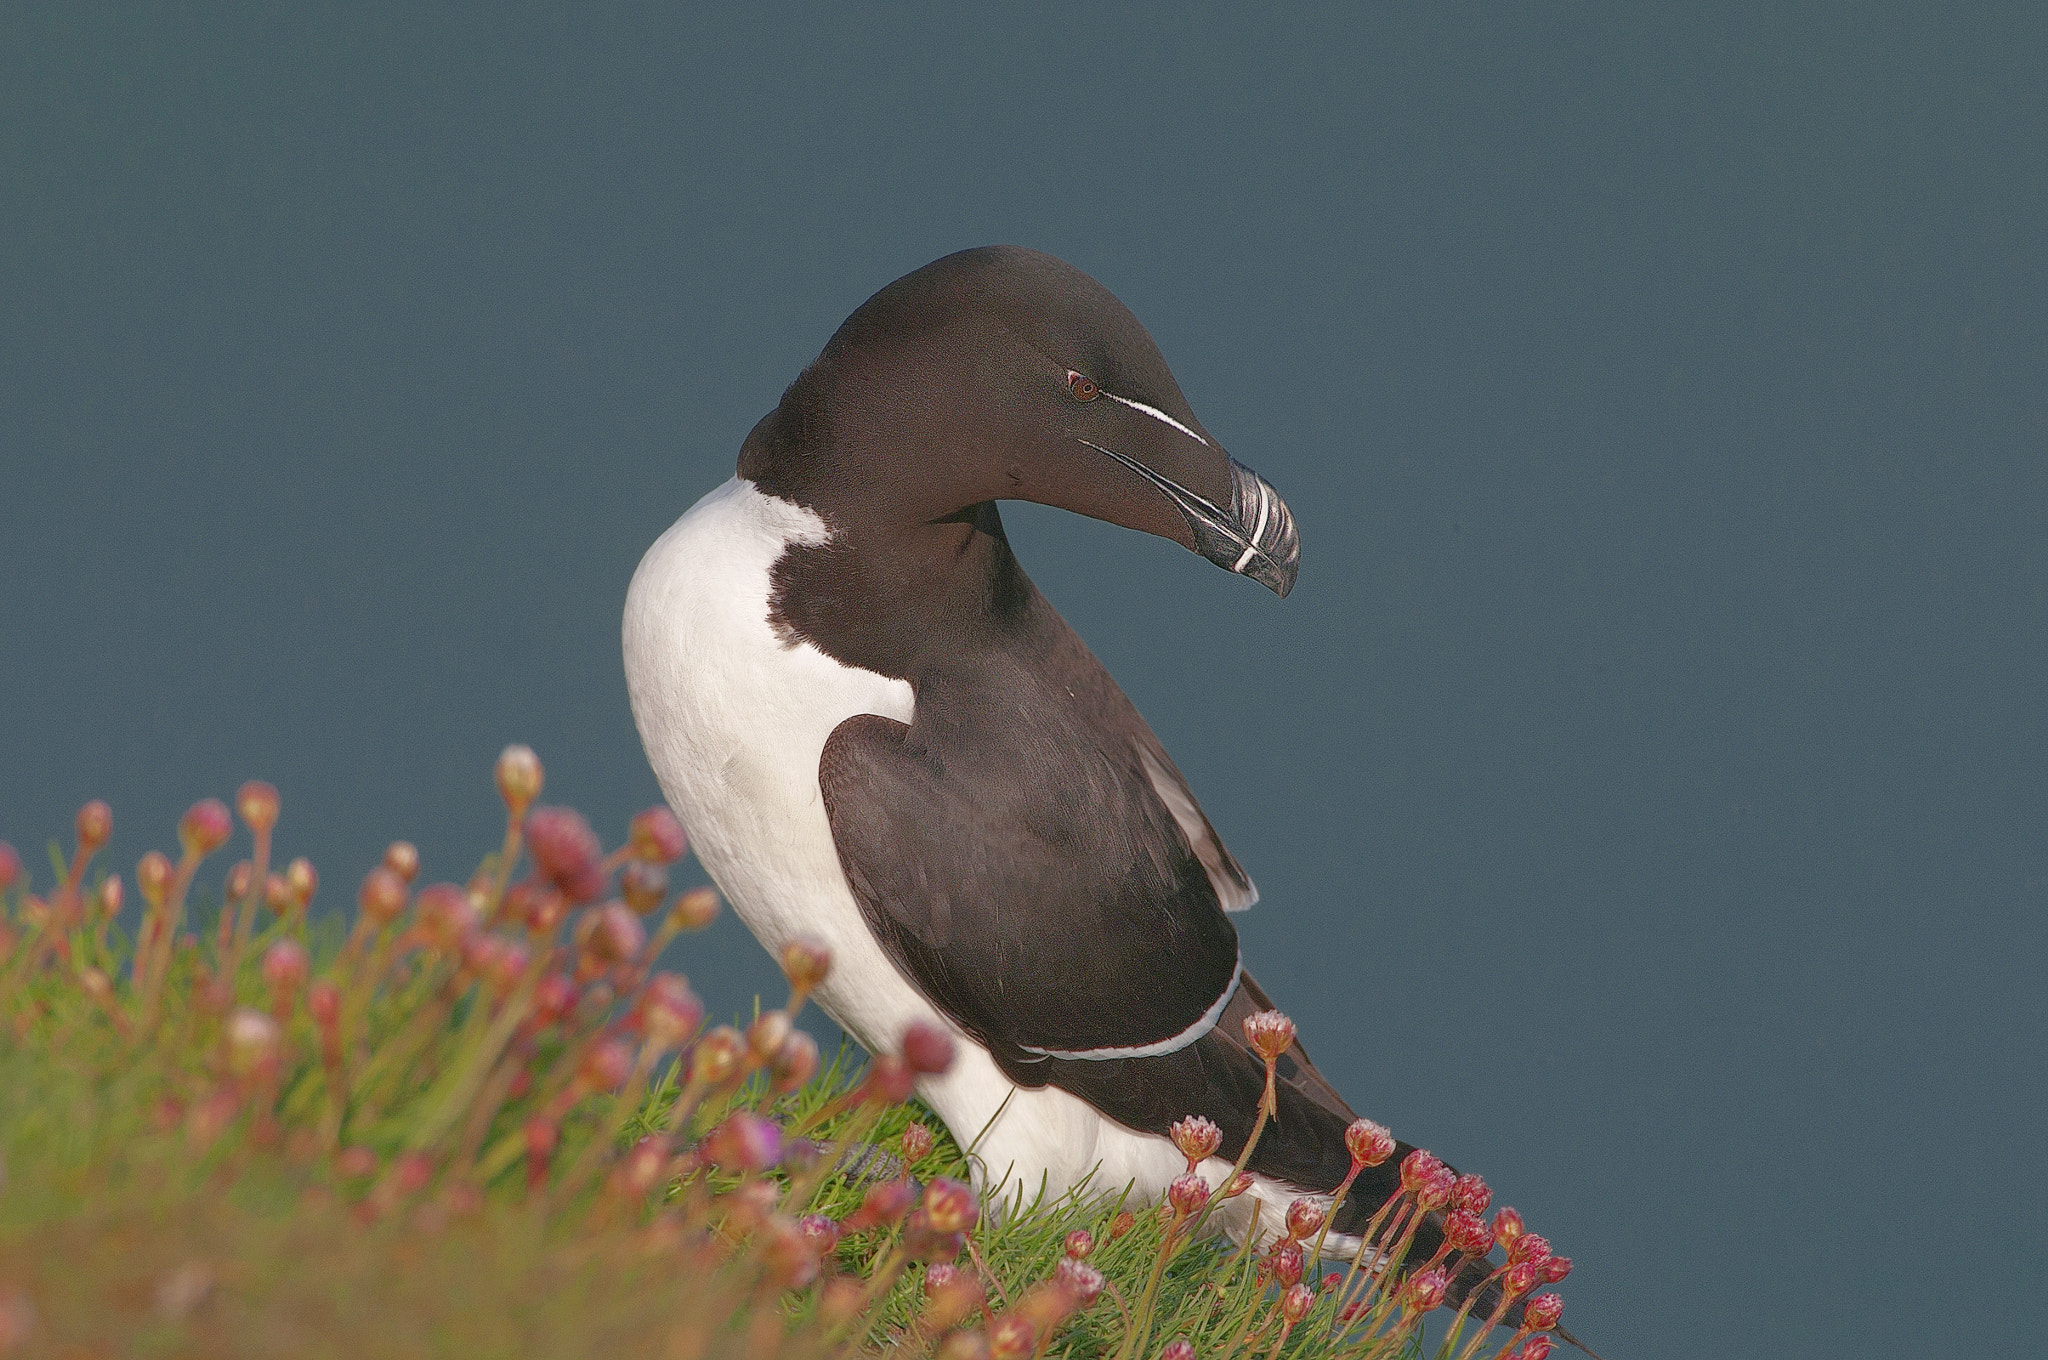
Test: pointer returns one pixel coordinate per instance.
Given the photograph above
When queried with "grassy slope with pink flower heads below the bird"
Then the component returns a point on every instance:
(482, 1121)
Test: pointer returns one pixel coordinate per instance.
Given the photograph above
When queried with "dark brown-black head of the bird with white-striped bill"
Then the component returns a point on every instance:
(1002, 374)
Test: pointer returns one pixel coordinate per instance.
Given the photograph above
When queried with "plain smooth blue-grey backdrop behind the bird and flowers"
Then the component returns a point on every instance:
(1648, 781)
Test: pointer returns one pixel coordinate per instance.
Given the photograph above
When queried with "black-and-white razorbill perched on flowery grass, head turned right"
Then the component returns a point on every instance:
(882, 736)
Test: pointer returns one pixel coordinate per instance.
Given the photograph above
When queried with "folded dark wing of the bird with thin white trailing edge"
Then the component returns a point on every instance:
(1031, 882)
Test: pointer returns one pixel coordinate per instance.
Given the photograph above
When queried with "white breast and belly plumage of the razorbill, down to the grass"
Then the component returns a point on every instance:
(734, 722)
